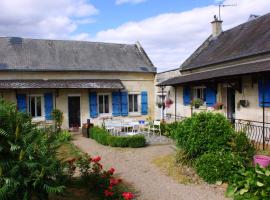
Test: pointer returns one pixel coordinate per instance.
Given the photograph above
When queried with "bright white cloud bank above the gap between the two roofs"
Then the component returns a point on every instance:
(170, 38)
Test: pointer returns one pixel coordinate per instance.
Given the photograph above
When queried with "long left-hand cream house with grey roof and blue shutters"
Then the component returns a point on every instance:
(85, 80)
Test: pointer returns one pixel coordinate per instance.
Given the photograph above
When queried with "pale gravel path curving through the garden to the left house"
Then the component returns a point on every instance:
(134, 165)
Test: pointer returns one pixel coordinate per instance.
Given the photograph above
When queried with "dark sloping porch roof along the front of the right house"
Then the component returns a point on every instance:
(228, 72)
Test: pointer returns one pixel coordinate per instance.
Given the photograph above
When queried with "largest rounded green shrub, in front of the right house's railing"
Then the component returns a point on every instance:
(204, 132)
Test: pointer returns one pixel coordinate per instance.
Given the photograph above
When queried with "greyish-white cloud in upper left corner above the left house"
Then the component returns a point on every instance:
(44, 19)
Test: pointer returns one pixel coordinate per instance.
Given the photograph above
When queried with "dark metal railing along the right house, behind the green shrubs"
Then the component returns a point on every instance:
(258, 134)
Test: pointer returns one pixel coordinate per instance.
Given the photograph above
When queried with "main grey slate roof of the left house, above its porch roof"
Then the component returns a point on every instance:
(19, 54)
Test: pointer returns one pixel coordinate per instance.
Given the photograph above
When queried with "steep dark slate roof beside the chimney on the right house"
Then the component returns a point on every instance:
(250, 38)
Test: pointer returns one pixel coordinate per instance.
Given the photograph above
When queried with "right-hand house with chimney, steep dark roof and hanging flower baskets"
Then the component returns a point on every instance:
(229, 73)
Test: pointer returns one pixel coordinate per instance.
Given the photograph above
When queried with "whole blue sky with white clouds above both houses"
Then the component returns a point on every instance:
(170, 31)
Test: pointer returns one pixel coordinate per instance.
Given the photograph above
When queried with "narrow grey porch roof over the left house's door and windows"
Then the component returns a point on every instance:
(55, 84)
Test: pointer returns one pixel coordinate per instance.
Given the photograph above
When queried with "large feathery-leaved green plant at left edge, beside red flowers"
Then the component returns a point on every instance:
(28, 164)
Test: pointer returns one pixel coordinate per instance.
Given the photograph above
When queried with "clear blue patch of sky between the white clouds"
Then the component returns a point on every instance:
(112, 15)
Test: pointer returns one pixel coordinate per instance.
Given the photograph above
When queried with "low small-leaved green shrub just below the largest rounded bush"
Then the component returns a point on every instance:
(217, 166)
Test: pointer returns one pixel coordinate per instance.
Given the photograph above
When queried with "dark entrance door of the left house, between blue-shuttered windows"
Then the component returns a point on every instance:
(74, 111)
